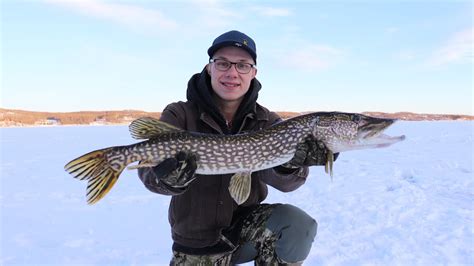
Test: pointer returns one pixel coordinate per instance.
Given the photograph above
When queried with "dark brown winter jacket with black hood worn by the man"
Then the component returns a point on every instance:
(199, 214)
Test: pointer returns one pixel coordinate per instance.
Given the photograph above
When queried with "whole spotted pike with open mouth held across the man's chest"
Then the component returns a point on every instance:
(239, 154)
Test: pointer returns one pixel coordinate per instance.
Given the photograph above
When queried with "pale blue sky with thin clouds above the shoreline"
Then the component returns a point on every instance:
(352, 56)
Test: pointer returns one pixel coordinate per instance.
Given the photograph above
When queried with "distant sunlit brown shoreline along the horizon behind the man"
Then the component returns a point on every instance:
(24, 118)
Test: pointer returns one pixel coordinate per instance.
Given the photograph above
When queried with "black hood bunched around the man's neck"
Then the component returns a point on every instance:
(201, 93)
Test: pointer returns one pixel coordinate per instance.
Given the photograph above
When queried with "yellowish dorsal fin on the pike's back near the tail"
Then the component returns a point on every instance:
(149, 127)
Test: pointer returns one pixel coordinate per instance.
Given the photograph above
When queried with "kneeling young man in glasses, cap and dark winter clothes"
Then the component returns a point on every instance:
(208, 227)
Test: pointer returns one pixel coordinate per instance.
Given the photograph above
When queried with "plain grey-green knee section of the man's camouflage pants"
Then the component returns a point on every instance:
(296, 230)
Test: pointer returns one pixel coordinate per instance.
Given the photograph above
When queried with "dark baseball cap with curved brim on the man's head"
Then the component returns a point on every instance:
(236, 39)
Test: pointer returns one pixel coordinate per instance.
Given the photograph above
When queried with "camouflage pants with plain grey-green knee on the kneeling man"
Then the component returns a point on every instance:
(270, 234)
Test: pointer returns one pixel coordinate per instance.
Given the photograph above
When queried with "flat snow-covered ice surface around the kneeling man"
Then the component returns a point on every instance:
(409, 204)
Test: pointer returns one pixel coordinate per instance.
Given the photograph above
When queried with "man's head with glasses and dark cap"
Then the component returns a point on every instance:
(232, 65)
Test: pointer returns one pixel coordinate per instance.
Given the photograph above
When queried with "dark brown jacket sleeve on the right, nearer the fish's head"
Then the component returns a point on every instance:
(274, 177)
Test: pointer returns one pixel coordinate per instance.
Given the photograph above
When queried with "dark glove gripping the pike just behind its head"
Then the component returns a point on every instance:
(309, 152)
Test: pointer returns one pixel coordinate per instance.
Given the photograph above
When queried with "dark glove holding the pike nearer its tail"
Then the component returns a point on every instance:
(176, 173)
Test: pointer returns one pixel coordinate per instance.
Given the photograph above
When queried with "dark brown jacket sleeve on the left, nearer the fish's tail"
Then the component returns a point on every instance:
(171, 114)
